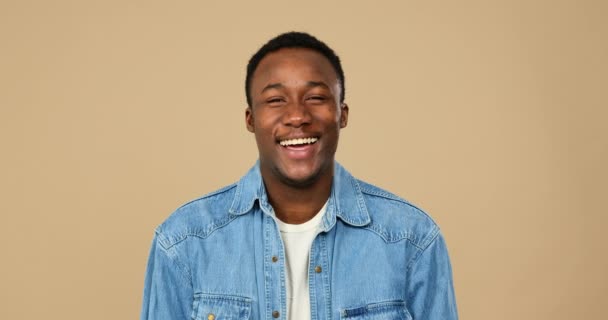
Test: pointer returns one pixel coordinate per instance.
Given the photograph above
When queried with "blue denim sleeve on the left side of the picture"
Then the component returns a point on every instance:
(168, 292)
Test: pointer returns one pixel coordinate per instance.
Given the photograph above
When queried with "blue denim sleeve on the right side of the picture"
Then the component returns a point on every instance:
(430, 285)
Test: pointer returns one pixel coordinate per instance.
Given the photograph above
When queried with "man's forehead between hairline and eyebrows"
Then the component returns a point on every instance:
(289, 63)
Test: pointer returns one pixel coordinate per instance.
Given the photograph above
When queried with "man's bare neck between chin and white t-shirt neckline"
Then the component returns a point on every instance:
(294, 204)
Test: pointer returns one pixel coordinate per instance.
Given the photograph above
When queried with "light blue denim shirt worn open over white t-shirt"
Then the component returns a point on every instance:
(221, 257)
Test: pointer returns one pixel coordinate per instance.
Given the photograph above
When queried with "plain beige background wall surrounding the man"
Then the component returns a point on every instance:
(491, 116)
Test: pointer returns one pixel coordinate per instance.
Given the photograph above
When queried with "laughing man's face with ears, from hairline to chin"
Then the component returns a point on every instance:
(296, 115)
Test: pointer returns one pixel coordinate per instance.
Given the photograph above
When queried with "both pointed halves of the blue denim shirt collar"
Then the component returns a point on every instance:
(345, 202)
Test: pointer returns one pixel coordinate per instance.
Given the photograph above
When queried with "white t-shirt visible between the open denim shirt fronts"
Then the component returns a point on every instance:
(297, 239)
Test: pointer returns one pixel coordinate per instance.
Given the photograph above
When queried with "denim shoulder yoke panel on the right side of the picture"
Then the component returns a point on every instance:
(396, 219)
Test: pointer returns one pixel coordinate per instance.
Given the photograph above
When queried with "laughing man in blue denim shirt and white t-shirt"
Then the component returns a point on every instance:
(298, 237)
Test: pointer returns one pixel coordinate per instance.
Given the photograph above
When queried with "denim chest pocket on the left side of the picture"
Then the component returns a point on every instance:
(220, 307)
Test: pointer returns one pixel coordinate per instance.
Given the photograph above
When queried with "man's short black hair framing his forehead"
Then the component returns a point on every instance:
(294, 40)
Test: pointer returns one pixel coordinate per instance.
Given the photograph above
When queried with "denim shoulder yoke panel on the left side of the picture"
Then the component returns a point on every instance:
(199, 217)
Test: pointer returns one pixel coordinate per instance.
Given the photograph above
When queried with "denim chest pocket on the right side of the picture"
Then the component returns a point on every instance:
(388, 310)
